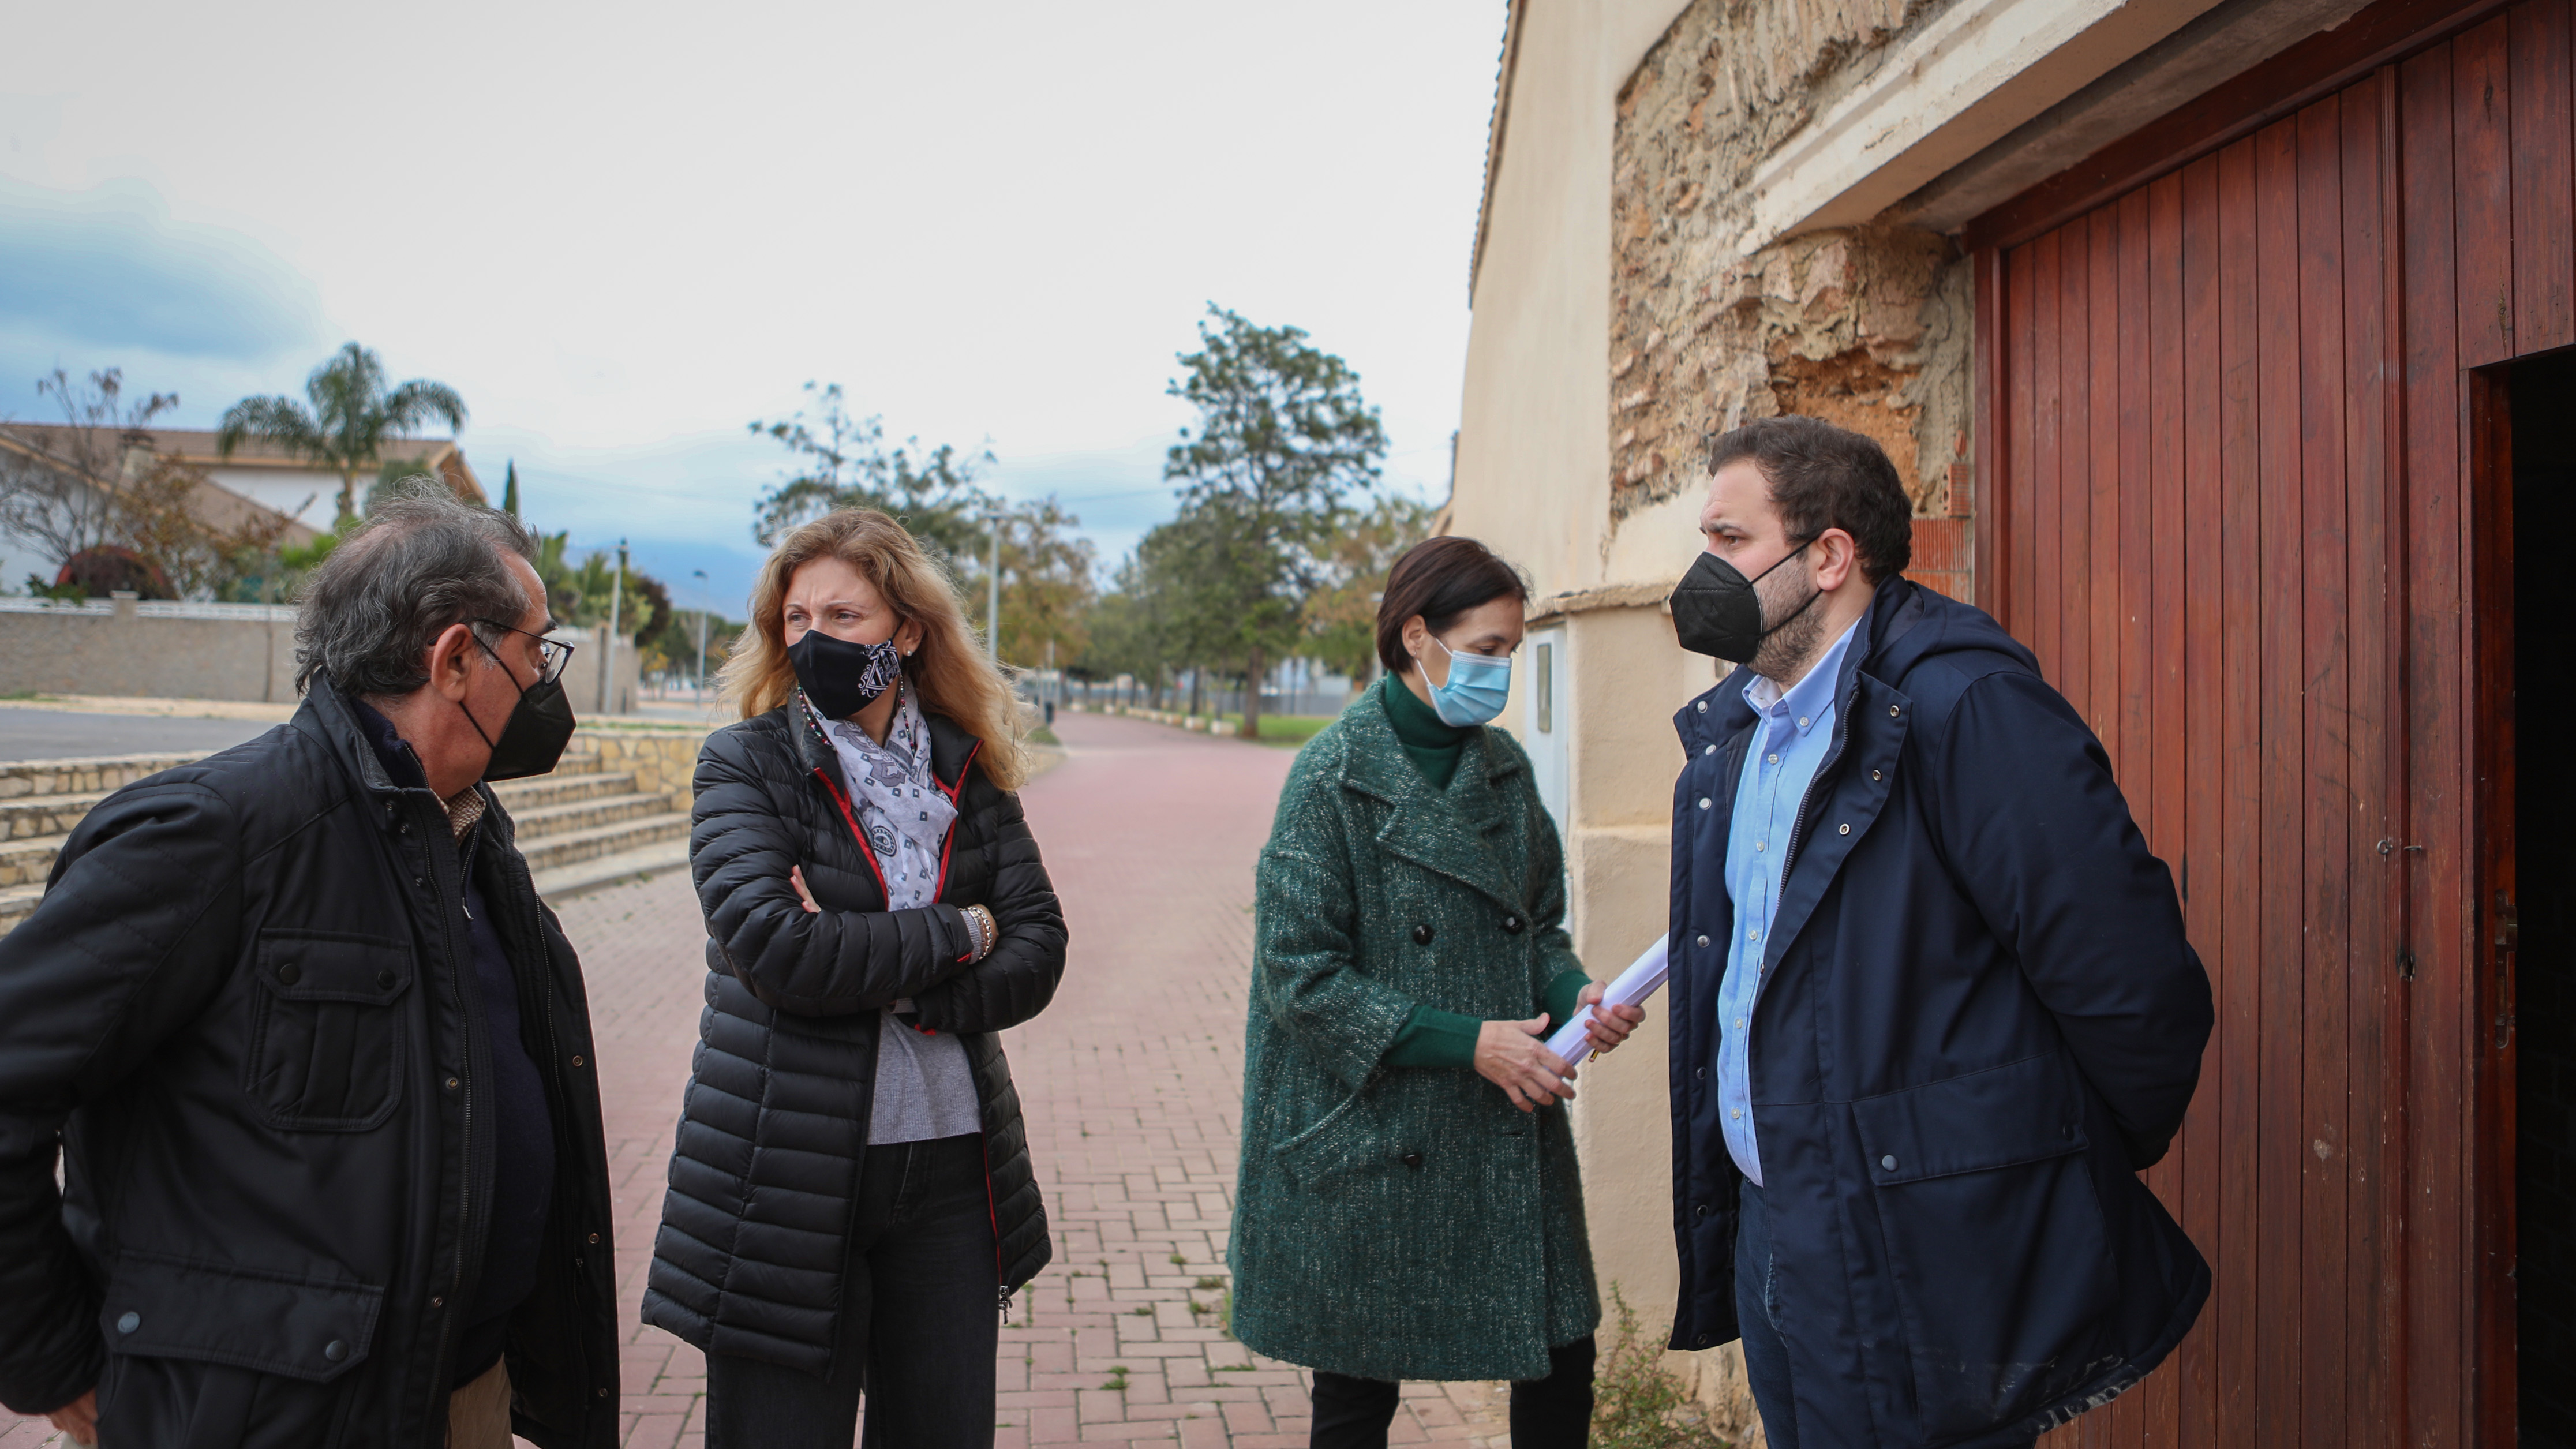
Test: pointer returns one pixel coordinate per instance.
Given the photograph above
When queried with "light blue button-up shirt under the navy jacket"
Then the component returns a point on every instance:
(1792, 736)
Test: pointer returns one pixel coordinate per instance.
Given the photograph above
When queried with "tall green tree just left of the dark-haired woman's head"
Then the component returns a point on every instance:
(1284, 437)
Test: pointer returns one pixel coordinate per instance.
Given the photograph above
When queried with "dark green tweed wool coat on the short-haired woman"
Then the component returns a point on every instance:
(1403, 1223)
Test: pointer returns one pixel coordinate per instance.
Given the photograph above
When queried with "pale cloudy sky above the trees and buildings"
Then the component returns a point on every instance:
(627, 231)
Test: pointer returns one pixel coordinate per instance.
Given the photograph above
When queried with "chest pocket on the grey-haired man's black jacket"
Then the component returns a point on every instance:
(326, 1043)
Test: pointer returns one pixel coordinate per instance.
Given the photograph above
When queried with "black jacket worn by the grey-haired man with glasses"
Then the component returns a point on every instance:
(246, 1009)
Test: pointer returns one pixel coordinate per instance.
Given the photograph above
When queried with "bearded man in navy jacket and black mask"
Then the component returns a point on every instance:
(1933, 1007)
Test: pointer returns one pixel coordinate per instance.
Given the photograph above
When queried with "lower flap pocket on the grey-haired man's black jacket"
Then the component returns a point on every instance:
(249, 1319)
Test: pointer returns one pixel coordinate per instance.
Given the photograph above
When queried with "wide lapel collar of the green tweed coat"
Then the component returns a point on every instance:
(1439, 831)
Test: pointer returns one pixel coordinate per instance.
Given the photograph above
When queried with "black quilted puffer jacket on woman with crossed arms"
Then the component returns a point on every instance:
(774, 1131)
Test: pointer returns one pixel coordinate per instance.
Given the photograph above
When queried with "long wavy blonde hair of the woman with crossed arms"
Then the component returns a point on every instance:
(949, 669)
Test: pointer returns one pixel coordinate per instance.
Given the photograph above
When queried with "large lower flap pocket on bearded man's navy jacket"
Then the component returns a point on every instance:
(1995, 1241)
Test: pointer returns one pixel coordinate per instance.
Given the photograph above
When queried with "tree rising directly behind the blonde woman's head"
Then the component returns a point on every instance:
(844, 463)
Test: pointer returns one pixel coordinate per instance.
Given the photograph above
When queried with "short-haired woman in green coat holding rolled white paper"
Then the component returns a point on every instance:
(1408, 1203)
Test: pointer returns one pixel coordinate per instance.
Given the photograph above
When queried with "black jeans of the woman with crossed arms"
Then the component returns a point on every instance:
(921, 1321)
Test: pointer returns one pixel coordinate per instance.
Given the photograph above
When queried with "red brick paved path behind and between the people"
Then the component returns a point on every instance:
(1132, 1087)
